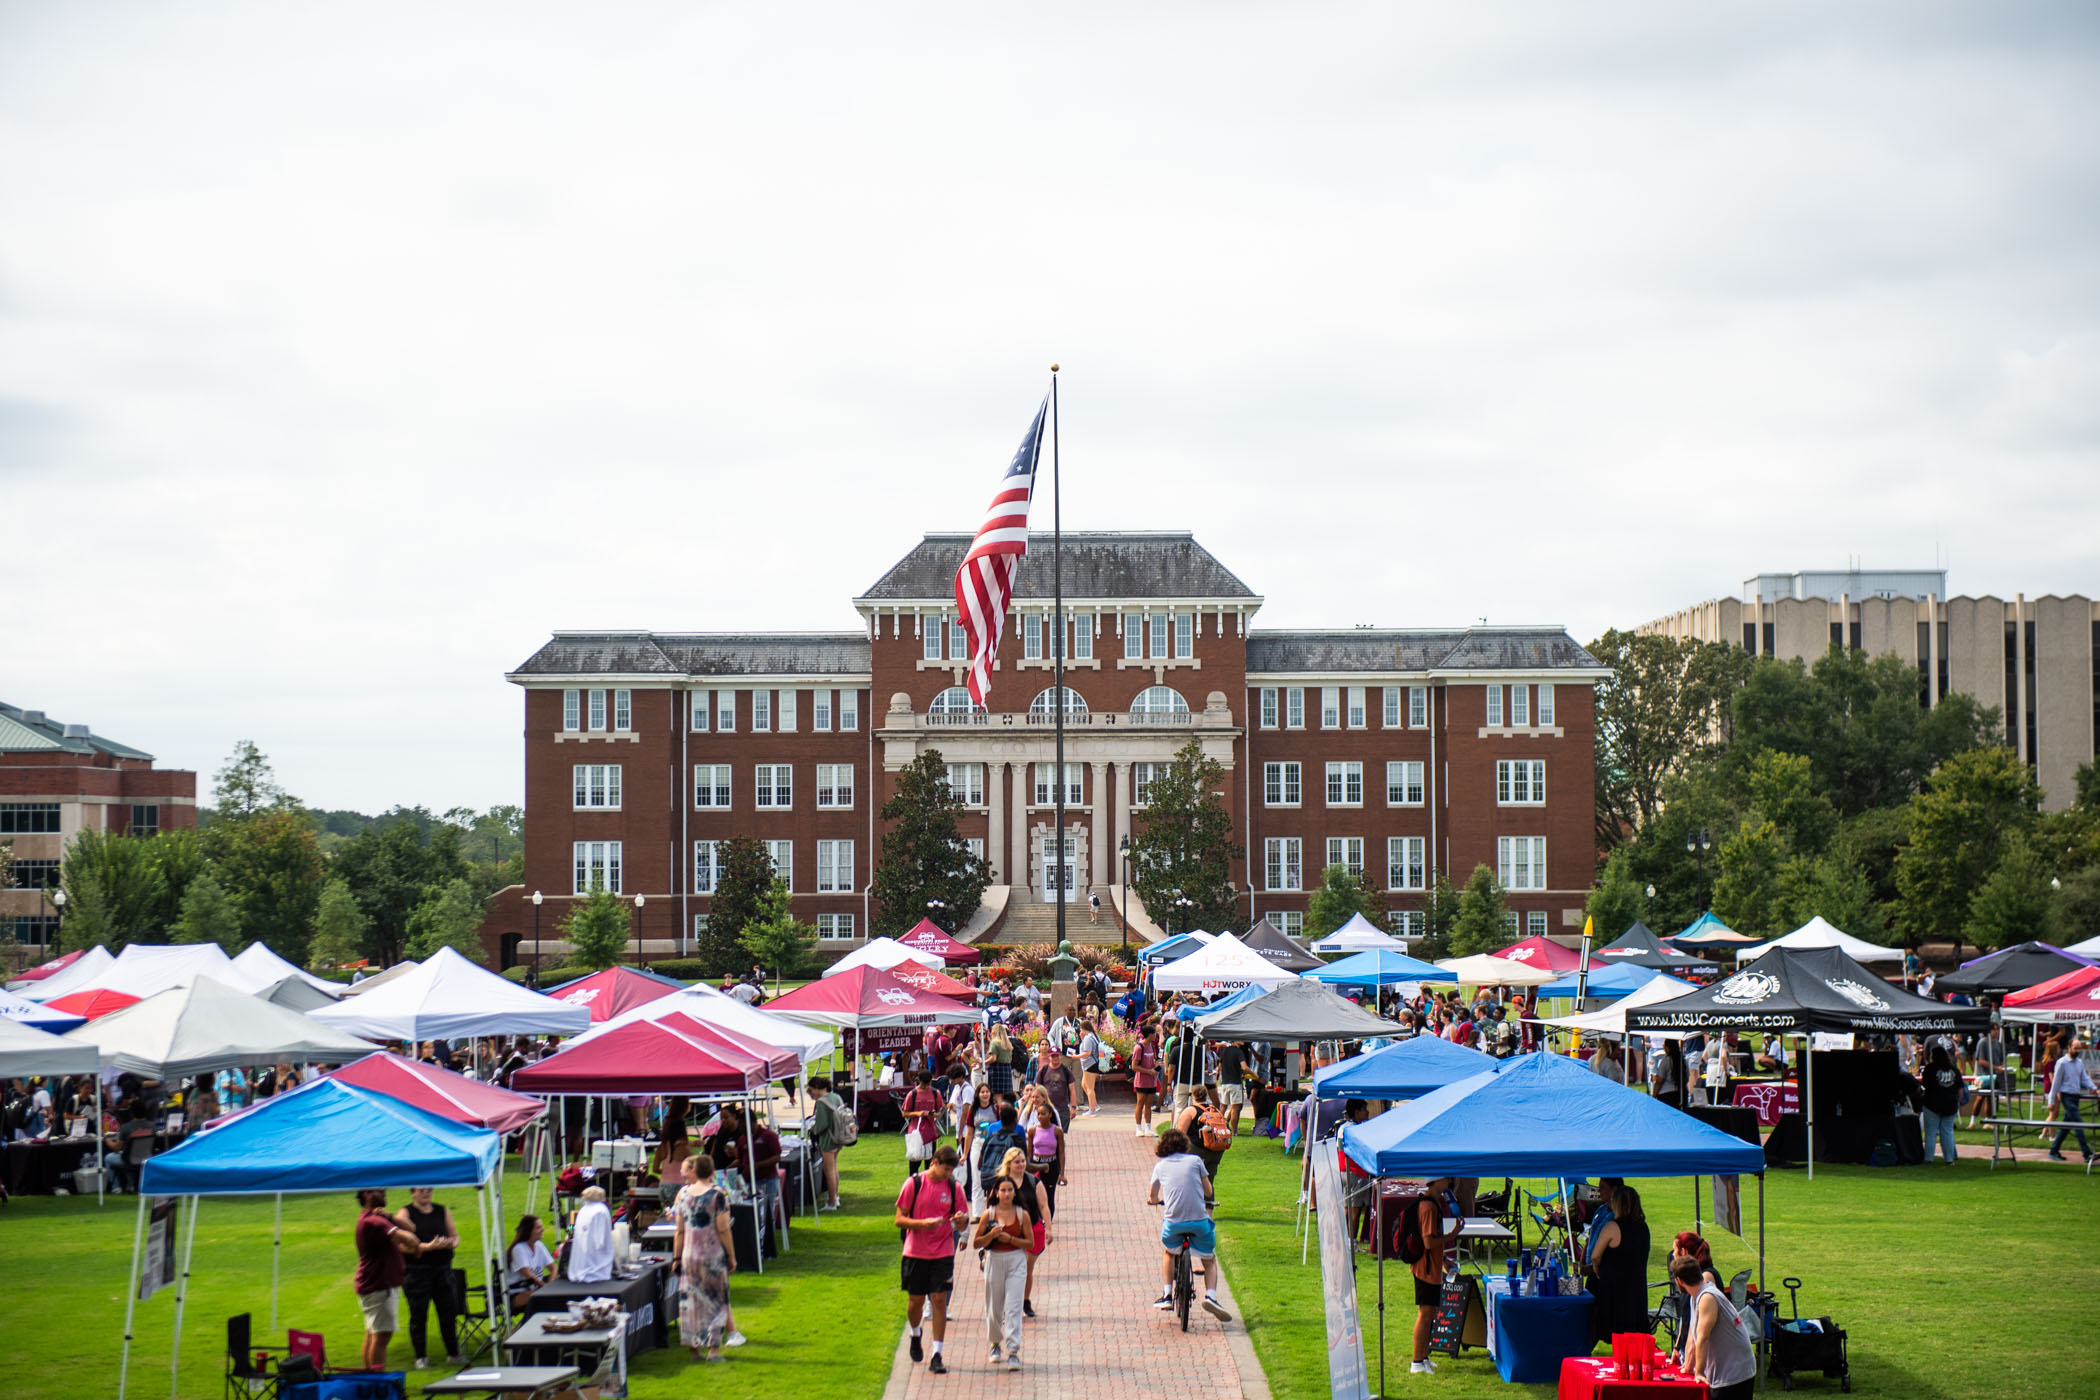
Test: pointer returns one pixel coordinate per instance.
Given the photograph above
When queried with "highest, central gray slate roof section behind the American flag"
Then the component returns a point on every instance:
(1097, 566)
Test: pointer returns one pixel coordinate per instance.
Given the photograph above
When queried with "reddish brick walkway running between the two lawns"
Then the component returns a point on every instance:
(1097, 1334)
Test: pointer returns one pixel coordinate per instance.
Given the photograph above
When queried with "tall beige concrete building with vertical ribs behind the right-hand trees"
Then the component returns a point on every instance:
(2038, 660)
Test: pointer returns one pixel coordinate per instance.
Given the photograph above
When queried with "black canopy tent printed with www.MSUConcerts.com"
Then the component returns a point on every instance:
(1801, 992)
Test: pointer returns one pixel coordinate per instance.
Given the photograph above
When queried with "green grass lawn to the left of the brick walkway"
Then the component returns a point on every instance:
(822, 1321)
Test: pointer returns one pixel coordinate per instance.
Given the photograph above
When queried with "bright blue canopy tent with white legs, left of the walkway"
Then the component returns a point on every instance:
(327, 1137)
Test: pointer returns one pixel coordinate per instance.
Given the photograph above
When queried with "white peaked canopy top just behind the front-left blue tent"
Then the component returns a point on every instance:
(209, 1027)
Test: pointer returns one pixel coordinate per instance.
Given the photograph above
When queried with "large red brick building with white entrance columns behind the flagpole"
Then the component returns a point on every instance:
(1398, 752)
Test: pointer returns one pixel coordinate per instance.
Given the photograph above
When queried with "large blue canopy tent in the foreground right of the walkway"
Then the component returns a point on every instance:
(1545, 1116)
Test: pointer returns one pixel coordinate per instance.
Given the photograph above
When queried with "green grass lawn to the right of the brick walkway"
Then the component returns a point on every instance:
(1952, 1284)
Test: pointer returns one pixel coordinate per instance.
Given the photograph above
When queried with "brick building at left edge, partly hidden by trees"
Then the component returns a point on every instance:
(60, 780)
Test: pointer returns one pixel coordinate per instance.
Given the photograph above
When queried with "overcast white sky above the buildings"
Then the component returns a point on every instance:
(348, 352)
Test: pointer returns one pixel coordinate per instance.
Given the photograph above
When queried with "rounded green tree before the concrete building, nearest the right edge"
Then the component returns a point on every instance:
(1973, 805)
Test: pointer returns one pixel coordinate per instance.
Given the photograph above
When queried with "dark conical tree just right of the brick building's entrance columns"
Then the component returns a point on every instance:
(1183, 845)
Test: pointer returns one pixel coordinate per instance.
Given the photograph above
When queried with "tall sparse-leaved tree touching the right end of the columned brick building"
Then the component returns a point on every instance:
(1664, 704)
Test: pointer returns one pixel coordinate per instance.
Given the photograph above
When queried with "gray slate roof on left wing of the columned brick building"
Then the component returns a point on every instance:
(698, 654)
